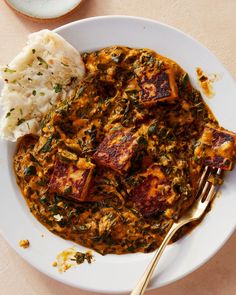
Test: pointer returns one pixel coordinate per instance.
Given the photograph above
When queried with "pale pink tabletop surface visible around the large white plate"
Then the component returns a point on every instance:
(212, 22)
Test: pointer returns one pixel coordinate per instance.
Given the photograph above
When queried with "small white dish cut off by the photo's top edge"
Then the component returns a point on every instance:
(44, 9)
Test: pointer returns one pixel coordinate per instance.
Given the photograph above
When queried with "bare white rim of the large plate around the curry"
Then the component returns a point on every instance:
(113, 273)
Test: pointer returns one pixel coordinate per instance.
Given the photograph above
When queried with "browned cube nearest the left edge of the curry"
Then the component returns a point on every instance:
(71, 179)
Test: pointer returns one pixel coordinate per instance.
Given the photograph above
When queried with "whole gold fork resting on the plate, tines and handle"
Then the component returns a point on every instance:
(205, 193)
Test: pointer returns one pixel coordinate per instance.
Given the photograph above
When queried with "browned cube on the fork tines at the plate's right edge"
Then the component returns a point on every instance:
(216, 148)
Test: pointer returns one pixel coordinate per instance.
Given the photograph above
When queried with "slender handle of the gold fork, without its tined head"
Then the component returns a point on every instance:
(143, 282)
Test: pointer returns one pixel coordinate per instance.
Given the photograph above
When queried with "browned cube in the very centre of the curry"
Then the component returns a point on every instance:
(116, 151)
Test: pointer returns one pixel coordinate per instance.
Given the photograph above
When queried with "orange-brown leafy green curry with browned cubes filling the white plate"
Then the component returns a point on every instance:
(118, 161)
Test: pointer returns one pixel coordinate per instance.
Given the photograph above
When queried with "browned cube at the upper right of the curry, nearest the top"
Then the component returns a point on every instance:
(157, 87)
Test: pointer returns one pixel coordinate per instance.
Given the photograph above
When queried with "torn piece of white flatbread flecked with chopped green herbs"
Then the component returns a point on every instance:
(40, 75)
